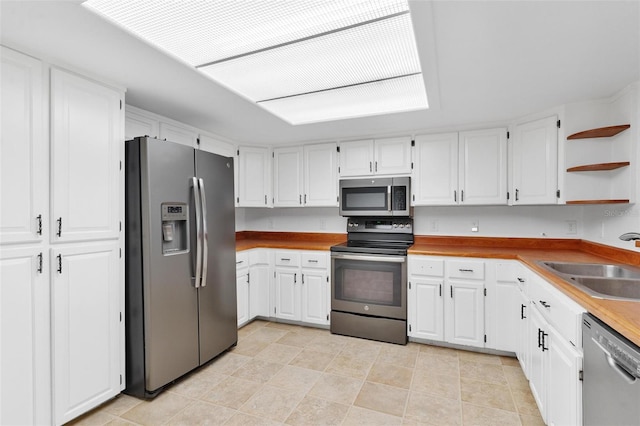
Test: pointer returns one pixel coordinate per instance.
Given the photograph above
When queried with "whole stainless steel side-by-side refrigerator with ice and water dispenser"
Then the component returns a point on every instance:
(180, 262)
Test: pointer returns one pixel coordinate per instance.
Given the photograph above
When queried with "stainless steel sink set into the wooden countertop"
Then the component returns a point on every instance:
(601, 280)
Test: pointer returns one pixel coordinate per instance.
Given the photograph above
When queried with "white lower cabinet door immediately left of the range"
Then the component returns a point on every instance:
(314, 297)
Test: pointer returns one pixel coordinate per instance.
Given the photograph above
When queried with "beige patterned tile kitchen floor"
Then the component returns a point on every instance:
(285, 374)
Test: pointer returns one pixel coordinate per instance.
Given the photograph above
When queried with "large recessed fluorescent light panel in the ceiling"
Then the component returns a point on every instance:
(304, 61)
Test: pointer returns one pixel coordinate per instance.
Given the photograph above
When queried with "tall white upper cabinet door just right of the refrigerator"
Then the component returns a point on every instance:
(254, 177)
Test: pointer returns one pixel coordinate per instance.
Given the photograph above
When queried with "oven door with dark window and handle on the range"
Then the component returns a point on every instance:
(374, 285)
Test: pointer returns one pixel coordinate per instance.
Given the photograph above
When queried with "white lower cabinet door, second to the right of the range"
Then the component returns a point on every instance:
(464, 313)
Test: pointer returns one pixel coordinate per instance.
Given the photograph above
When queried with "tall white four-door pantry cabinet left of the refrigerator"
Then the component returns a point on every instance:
(61, 264)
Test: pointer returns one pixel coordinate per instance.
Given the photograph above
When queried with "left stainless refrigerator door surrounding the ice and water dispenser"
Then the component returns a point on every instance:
(170, 297)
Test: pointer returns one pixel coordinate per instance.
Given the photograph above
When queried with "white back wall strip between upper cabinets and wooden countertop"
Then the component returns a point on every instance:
(503, 221)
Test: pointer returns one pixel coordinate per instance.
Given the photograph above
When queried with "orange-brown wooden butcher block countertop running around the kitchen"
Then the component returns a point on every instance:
(620, 315)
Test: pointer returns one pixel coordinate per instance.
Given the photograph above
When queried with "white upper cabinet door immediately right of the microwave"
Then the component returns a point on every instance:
(435, 172)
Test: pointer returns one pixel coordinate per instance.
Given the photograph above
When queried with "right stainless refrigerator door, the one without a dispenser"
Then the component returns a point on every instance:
(217, 298)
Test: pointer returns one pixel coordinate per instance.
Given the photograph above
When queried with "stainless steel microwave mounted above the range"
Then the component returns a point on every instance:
(375, 197)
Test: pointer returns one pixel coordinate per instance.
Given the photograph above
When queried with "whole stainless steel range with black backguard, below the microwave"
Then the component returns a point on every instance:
(369, 279)
